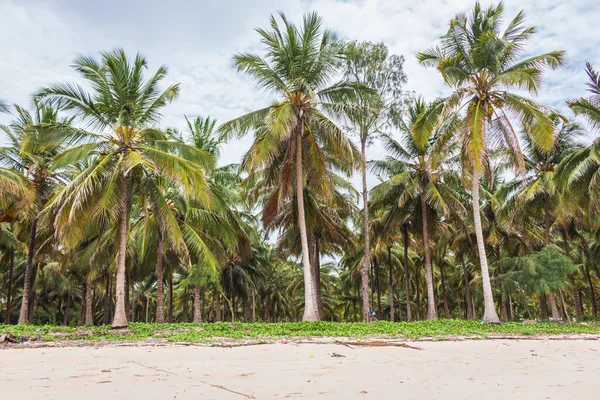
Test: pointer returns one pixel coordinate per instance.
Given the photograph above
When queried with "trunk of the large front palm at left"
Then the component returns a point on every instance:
(120, 317)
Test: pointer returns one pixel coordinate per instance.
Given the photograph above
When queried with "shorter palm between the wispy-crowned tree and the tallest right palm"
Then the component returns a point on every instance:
(416, 168)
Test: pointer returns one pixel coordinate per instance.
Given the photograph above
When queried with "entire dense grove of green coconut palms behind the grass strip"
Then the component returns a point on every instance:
(484, 205)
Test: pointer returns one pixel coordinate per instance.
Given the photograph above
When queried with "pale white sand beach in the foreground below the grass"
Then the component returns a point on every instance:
(492, 369)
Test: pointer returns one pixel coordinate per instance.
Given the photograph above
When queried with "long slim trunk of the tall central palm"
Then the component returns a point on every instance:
(311, 309)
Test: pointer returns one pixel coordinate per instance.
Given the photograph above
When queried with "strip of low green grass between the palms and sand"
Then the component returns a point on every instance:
(206, 332)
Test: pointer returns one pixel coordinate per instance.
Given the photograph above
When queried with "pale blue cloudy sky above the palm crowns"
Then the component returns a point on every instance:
(197, 39)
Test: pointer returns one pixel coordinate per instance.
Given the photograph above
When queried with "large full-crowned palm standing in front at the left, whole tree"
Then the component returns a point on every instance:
(123, 106)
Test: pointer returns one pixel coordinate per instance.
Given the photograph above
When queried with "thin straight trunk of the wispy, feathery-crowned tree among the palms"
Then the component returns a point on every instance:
(364, 271)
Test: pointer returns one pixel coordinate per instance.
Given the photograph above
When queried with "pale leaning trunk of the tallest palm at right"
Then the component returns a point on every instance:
(489, 313)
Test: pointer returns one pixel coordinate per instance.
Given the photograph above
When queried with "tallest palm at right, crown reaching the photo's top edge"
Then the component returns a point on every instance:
(480, 62)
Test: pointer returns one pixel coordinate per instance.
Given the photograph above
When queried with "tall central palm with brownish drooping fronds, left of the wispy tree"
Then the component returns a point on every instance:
(293, 135)
